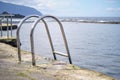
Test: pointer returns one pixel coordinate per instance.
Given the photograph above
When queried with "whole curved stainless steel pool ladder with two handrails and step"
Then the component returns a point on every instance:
(49, 37)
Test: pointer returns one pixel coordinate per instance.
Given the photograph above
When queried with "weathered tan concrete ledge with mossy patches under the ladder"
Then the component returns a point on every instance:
(46, 69)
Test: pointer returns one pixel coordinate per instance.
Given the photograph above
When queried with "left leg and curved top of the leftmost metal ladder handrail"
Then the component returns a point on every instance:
(18, 34)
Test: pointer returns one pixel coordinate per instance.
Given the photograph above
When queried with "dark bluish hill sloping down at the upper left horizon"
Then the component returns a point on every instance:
(17, 9)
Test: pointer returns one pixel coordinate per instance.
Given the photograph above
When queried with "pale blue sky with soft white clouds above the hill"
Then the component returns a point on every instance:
(73, 8)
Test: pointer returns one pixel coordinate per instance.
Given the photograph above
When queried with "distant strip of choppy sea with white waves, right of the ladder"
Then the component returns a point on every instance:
(100, 20)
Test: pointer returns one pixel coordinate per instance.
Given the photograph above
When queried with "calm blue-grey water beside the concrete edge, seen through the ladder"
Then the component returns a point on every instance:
(92, 46)
